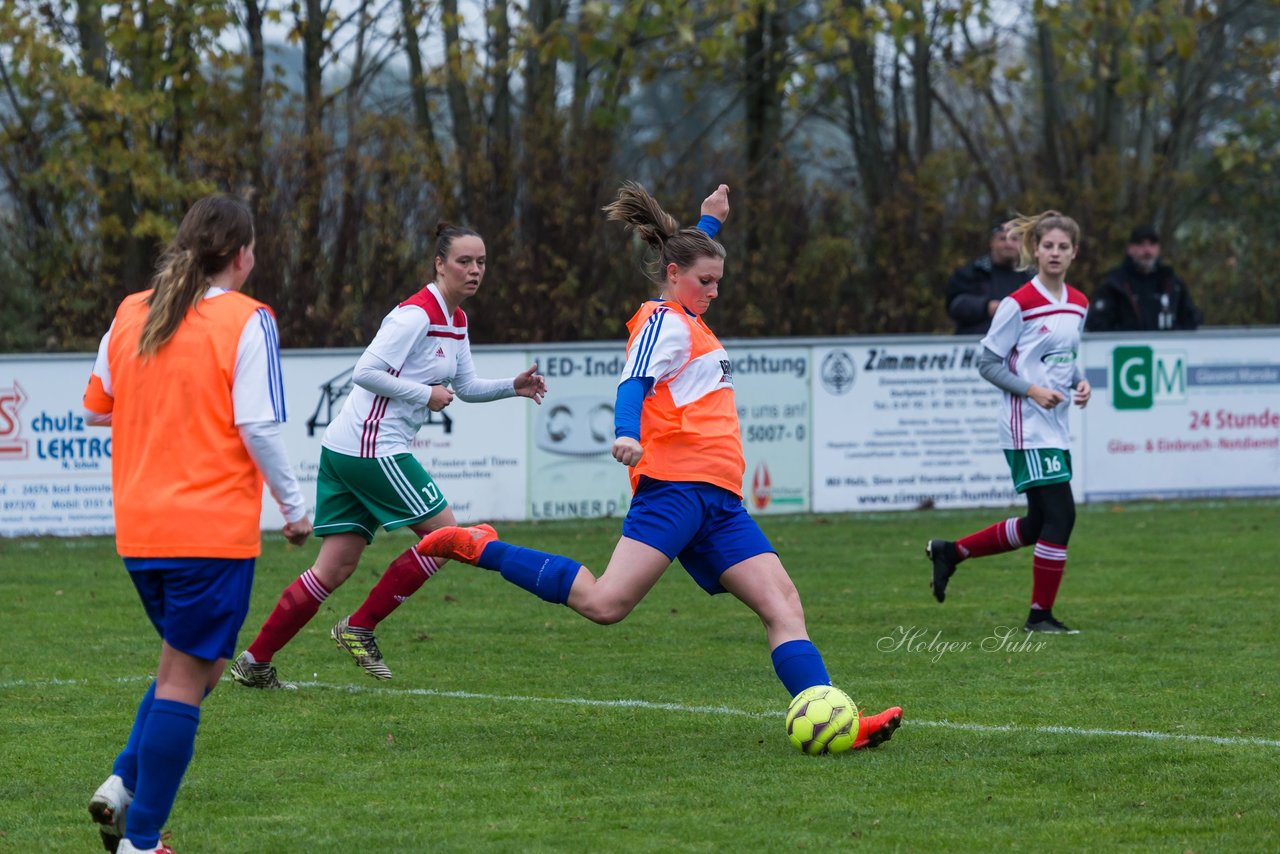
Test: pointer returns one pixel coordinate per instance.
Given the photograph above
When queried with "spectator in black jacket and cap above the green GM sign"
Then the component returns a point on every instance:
(1142, 295)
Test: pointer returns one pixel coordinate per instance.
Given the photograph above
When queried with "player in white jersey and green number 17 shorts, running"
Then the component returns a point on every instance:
(368, 477)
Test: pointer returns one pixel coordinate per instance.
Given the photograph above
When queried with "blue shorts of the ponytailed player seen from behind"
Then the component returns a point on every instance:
(196, 604)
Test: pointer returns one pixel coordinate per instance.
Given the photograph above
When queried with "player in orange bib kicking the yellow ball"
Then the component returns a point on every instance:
(678, 431)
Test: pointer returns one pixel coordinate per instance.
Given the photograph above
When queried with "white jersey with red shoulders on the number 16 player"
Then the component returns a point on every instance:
(1040, 340)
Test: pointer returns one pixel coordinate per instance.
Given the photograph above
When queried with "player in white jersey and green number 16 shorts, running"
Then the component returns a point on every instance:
(1031, 355)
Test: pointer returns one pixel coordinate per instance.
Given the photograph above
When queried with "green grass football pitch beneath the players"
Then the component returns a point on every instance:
(514, 725)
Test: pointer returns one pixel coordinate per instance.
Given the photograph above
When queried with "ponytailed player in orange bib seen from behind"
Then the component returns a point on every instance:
(189, 377)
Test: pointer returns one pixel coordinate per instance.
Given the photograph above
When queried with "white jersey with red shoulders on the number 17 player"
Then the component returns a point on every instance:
(424, 345)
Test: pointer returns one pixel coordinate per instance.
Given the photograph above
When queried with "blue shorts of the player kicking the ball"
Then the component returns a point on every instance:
(705, 527)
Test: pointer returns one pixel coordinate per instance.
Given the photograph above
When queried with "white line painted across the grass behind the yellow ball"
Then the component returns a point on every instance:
(710, 710)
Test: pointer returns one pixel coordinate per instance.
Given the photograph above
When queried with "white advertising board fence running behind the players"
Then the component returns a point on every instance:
(829, 426)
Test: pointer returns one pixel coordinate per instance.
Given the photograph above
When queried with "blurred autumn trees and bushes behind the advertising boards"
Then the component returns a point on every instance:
(868, 147)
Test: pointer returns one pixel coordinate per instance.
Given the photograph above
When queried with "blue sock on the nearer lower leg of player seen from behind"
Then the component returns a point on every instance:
(164, 750)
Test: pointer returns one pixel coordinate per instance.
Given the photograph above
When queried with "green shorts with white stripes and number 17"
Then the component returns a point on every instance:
(359, 495)
